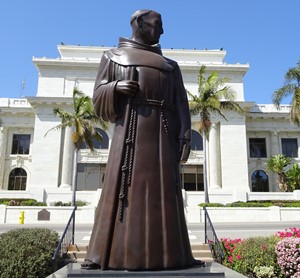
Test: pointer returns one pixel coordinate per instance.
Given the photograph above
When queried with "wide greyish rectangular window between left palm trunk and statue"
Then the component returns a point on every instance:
(90, 176)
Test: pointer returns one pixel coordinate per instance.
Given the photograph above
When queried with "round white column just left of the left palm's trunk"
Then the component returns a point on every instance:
(67, 159)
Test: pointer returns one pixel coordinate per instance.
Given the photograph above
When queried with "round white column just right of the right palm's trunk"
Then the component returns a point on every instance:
(214, 157)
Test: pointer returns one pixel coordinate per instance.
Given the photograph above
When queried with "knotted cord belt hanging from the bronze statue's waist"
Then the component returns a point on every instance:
(129, 146)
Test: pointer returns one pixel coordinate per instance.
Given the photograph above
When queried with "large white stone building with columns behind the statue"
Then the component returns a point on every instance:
(38, 166)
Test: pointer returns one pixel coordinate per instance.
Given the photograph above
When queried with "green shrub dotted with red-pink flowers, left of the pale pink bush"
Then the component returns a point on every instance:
(256, 252)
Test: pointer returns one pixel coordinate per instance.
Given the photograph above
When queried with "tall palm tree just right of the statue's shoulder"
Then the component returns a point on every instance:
(213, 97)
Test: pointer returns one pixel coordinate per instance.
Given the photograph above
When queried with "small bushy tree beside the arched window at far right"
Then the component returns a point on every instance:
(277, 164)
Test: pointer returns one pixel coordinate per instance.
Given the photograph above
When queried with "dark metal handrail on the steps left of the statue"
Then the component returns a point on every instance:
(65, 241)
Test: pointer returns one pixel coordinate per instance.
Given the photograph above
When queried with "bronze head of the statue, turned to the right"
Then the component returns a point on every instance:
(146, 26)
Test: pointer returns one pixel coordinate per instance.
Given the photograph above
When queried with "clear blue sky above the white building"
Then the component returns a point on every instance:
(263, 33)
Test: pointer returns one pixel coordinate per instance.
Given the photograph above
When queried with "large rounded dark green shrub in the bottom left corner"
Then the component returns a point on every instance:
(27, 253)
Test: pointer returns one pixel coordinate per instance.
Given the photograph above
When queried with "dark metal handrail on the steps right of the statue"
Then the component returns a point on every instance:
(212, 239)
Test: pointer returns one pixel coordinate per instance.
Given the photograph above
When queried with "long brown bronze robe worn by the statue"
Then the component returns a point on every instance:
(141, 225)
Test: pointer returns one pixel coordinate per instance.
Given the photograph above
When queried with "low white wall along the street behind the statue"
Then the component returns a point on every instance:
(85, 215)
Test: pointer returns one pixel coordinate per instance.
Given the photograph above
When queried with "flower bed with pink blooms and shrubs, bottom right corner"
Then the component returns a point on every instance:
(274, 256)
